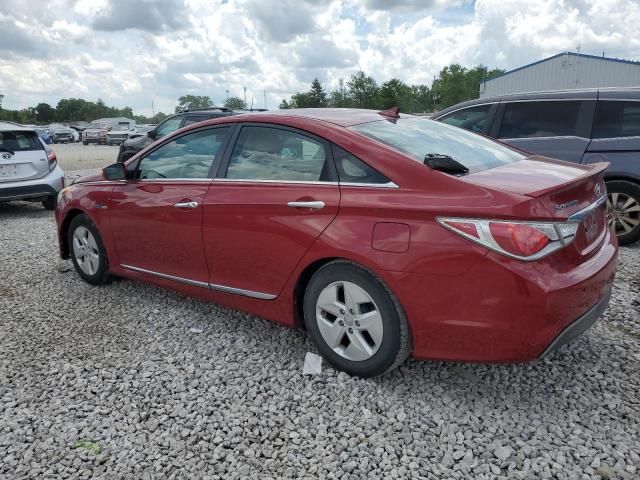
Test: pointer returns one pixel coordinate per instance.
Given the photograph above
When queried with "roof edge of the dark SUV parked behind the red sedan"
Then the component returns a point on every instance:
(568, 94)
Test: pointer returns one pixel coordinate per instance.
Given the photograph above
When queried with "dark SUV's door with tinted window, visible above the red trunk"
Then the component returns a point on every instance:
(553, 128)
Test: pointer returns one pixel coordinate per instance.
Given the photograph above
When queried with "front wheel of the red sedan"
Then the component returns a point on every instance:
(87, 251)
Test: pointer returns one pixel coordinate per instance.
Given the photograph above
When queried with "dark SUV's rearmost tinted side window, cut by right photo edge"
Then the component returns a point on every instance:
(617, 119)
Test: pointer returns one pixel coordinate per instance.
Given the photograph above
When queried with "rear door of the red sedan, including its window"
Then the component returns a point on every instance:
(275, 193)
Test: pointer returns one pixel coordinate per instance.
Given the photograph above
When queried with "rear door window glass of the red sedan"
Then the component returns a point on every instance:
(265, 153)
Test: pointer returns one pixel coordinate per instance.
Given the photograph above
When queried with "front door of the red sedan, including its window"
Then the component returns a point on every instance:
(156, 216)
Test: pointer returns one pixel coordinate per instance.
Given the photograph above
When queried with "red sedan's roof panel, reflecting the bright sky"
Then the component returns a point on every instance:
(344, 117)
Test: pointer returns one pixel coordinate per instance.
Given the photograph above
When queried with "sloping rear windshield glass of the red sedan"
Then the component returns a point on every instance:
(418, 137)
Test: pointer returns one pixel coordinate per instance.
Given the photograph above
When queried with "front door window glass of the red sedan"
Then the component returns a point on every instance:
(188, 156)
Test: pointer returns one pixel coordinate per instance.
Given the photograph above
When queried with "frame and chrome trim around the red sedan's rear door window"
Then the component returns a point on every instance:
(233, 140)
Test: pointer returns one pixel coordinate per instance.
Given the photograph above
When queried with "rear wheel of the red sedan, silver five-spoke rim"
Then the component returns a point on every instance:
(355, 320)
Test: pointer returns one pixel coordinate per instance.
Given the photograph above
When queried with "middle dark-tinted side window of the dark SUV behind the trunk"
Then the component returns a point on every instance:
(540, 119)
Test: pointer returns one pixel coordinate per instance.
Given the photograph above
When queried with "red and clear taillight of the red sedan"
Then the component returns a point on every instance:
(521, 240)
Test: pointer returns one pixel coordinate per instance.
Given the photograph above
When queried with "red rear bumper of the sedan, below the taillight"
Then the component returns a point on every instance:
(501, 311)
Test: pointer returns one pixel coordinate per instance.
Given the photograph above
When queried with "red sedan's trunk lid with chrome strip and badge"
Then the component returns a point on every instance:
(566, 190)
